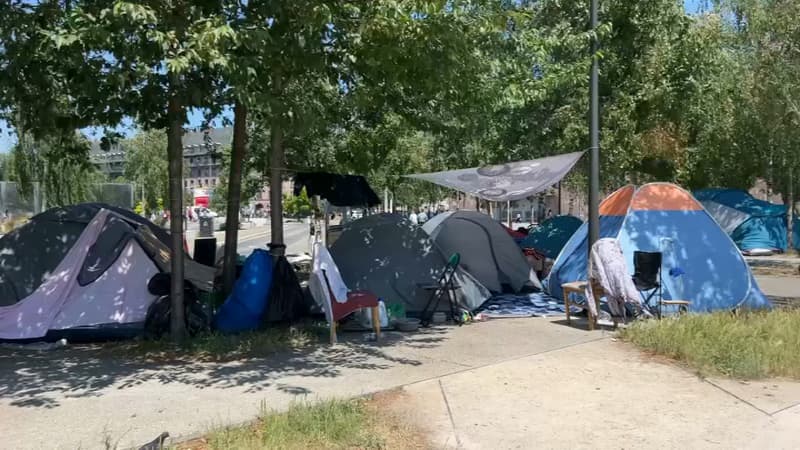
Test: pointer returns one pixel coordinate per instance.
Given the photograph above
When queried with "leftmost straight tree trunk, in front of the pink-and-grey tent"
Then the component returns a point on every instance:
(176, 117)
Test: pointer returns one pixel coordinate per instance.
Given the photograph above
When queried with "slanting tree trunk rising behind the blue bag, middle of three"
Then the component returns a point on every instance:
(234, 196)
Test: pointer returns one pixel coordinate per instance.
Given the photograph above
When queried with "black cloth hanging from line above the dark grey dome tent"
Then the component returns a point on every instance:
(338, 190)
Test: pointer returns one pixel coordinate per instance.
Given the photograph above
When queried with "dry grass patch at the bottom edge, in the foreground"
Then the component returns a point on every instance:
(332, 424)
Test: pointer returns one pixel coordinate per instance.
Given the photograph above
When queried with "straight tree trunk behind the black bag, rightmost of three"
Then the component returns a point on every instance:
(277, 246)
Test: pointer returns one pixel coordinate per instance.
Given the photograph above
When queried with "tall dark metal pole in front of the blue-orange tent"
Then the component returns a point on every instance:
(594, 135)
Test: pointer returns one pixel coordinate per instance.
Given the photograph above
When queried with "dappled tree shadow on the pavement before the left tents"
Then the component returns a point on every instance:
(43, 379)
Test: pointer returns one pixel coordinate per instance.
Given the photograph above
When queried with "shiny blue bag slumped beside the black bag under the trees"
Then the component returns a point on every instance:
(244, 308)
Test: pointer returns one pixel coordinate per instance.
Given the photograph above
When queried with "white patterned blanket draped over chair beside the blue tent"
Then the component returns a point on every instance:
(607, 266)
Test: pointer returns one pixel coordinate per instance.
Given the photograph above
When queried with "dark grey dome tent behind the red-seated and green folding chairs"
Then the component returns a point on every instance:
(389, 256)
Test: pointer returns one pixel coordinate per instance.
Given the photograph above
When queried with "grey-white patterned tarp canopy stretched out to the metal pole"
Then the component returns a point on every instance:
(505, 182)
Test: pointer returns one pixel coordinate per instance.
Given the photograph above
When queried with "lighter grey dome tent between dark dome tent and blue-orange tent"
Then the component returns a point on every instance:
(488, 253)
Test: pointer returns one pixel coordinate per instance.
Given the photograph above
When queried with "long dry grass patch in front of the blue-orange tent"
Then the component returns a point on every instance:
(747, 346)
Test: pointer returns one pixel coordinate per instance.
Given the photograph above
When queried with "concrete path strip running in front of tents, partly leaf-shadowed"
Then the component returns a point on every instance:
(75, 397)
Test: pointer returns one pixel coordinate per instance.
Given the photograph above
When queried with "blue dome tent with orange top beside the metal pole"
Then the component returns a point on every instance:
(663, 217)
